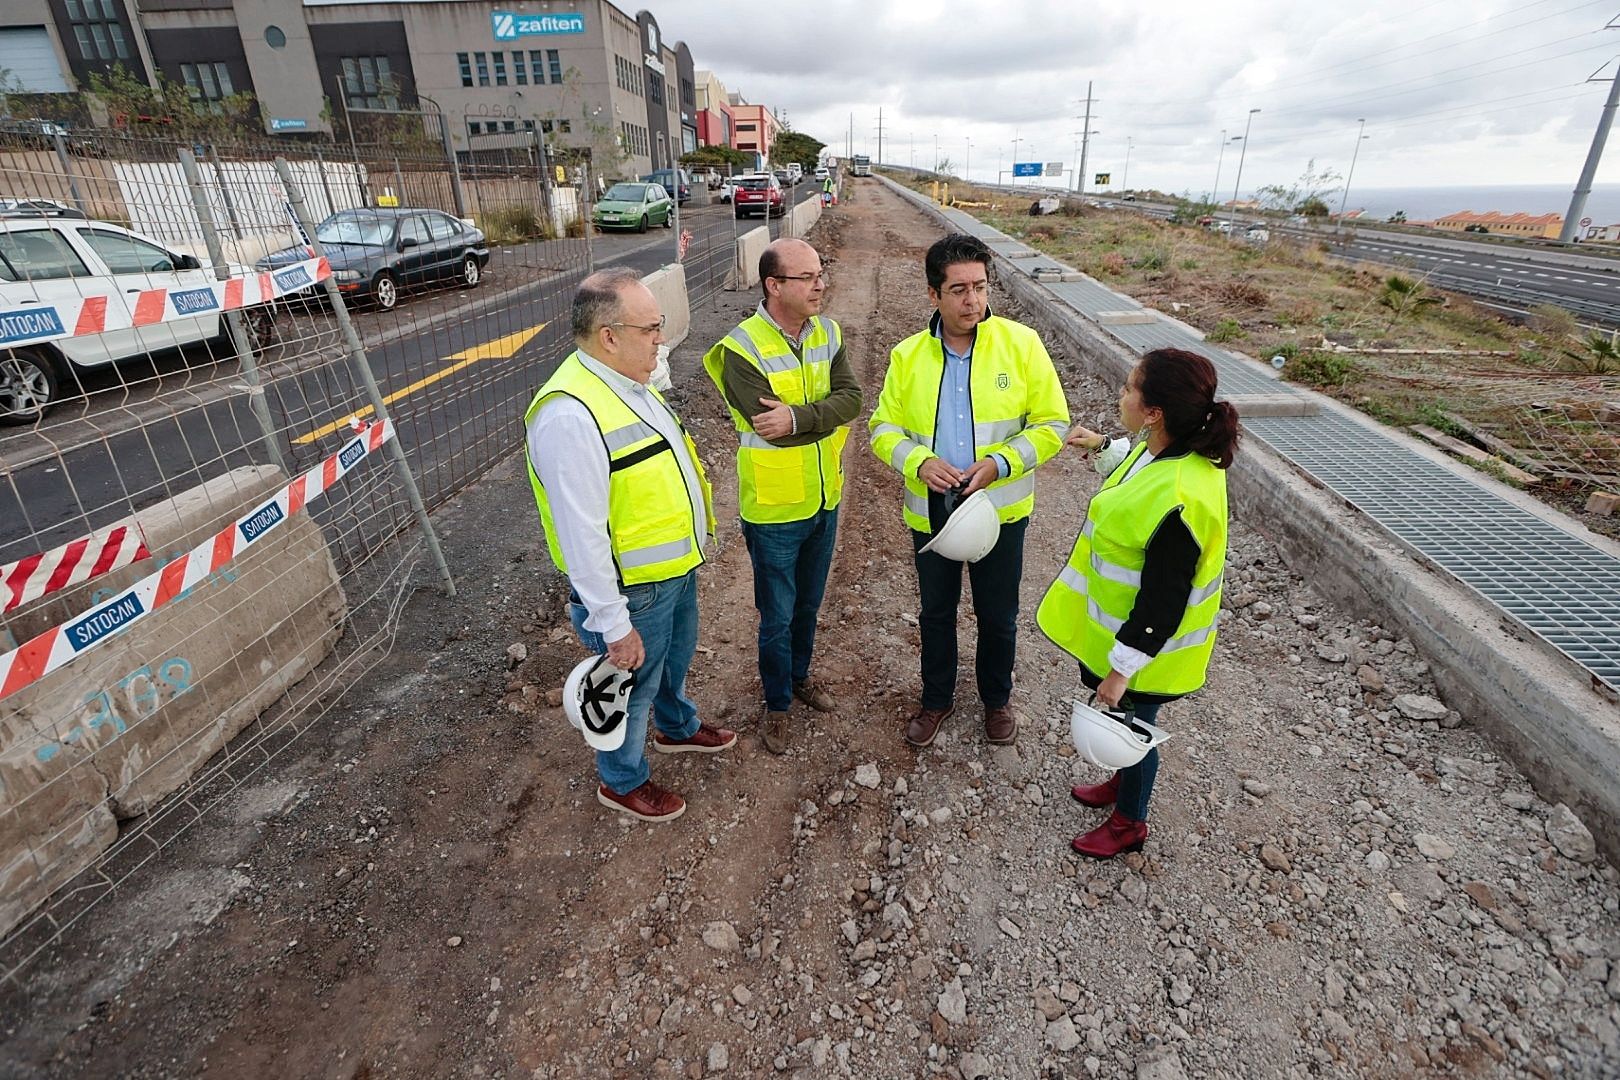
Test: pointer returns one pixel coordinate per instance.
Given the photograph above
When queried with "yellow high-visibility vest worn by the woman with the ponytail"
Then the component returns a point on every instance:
(1093, 598)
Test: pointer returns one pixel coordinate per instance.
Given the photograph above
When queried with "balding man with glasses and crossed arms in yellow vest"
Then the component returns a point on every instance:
(791, 393)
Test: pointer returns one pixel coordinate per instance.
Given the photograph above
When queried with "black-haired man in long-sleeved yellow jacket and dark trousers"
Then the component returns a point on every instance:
(970, 404)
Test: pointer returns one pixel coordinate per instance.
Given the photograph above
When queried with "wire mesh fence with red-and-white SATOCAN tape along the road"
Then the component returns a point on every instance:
(234, 381)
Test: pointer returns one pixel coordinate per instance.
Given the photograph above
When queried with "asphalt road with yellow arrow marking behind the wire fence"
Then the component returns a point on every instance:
(458, 409)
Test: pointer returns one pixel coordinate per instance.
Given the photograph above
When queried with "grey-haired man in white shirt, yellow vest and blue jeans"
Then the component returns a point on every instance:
(629, 517)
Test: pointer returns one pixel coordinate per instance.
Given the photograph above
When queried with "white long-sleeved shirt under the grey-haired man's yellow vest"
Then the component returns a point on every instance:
(573, 464)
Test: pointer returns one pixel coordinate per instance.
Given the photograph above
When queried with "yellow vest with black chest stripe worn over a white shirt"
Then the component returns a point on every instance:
(650, 524)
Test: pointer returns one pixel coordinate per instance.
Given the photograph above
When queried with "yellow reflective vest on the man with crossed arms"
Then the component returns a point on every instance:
(785, 483)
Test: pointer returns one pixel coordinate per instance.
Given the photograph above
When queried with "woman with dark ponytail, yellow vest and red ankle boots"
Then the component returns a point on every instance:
(1138, 602)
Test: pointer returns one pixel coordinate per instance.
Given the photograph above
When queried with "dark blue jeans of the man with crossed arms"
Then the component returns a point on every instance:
(790, 576)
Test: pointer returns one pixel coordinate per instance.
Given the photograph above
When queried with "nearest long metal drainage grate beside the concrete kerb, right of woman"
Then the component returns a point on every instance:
(1558, 585)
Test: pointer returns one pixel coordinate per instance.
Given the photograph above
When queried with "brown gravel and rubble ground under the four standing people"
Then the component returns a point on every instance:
(1344, 878)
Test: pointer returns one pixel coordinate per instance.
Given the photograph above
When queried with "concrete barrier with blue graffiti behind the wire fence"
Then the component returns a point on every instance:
(134, 720)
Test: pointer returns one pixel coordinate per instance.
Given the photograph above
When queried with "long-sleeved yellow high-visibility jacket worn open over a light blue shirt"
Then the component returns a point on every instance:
(1020, 412)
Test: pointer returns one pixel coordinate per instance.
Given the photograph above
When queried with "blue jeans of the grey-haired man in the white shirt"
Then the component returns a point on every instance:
(667, 616)
